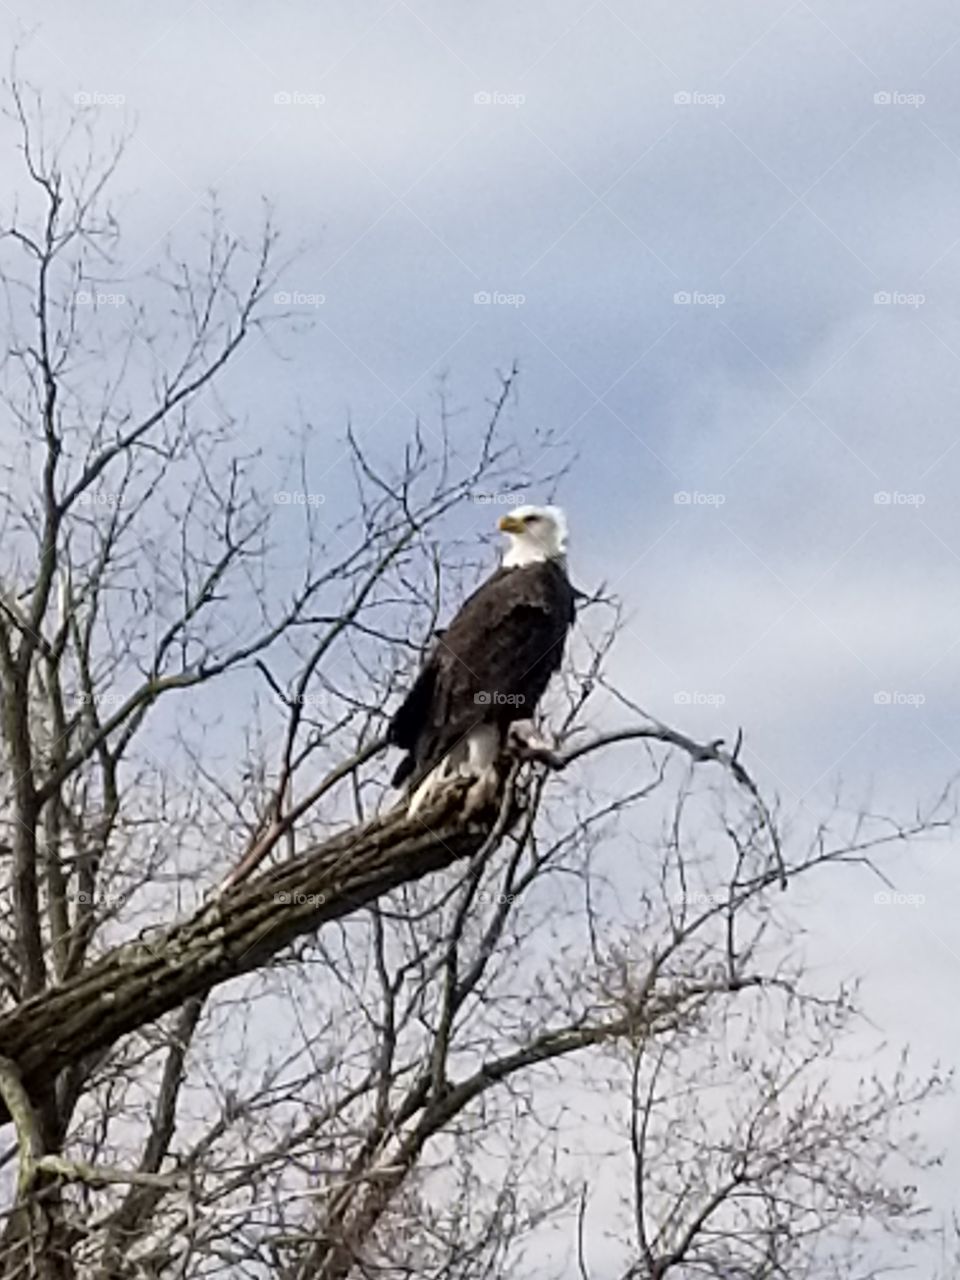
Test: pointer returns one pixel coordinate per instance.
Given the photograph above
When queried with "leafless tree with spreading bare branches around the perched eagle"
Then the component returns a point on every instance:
(257, 1021)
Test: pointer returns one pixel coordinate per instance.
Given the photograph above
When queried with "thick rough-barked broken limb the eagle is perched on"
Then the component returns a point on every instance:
(239, 931)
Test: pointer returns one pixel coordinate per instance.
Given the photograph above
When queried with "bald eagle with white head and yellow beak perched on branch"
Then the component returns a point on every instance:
(492, 665)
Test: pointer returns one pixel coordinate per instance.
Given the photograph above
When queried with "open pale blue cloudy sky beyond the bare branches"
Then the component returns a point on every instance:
(723, 243)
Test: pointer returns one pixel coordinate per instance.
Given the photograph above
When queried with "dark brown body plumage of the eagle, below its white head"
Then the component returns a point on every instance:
(491, 666)
